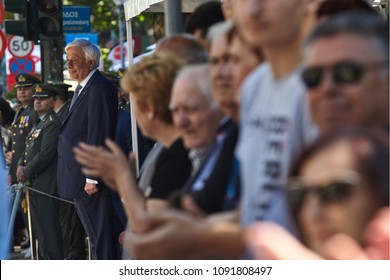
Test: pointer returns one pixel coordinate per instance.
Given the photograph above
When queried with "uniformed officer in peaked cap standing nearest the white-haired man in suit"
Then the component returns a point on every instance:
(38, 168)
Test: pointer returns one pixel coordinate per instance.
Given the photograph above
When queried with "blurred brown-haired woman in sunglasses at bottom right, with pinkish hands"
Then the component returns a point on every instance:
(337, 187)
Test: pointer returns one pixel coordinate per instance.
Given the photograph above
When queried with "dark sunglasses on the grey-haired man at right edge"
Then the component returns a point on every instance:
(343, 73)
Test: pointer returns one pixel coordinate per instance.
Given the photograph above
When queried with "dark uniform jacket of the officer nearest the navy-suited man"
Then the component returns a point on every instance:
(40, 155)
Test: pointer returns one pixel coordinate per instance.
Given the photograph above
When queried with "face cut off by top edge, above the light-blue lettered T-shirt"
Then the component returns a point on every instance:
(268, 22)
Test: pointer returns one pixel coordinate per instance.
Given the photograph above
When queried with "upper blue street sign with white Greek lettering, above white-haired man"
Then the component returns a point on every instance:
(76, 19)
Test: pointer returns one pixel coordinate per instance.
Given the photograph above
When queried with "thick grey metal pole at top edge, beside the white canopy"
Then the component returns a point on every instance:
(173, 17)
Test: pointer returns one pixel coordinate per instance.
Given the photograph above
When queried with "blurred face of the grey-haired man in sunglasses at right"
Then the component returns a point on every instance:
(363, 102)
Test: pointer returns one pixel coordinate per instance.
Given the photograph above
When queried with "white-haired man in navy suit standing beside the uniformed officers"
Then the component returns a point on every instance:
(91, 119)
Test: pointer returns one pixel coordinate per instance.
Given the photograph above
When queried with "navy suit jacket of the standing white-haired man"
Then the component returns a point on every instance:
(91, 119)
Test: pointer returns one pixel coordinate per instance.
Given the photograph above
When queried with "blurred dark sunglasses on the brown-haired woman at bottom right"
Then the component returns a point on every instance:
(336, 191)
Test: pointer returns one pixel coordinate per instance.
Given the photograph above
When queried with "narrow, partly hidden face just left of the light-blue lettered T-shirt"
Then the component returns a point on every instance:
(221, 76)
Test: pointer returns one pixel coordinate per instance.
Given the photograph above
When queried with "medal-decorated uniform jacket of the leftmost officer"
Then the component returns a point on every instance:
(21, 127)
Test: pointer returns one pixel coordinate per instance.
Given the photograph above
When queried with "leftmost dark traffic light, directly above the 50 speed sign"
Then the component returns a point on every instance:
(23, 27)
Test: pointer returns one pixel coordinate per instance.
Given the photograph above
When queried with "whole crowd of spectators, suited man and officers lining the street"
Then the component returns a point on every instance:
(262, 135)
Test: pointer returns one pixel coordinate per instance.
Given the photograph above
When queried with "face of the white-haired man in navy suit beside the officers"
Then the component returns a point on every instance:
(77, 65)
